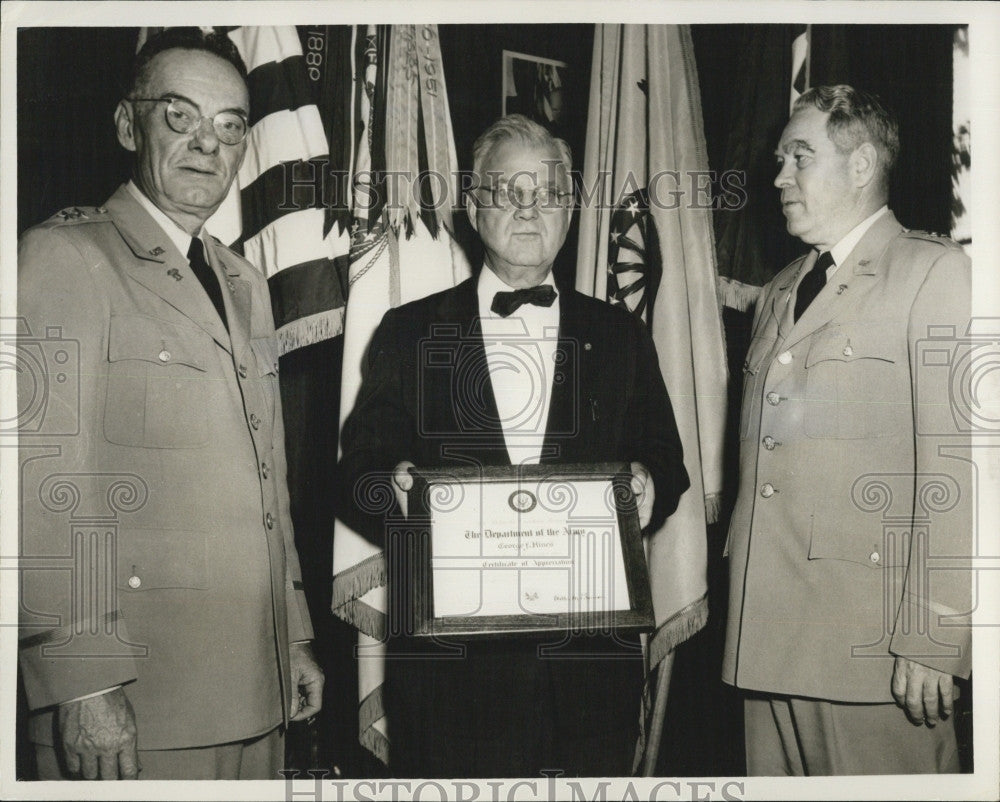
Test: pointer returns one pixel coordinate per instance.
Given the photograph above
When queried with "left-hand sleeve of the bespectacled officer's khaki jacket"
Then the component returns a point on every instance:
(72, 638)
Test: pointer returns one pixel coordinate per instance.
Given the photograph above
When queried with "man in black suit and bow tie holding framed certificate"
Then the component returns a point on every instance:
(537, 373)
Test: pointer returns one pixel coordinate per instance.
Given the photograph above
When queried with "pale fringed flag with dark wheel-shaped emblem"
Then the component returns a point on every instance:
(654, 253)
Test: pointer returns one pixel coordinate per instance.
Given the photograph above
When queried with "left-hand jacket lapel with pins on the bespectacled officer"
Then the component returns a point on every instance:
(161, 268)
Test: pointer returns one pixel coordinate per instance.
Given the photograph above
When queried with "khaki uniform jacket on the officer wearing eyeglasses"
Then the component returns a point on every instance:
(155, 540)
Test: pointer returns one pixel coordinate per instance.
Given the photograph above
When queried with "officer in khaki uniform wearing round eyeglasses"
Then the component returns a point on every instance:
(176, 645)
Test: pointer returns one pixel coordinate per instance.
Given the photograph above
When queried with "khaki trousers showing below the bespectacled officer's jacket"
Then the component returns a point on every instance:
(257, 758)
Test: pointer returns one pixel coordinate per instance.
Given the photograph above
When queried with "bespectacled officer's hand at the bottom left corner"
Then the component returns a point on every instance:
(98, 737)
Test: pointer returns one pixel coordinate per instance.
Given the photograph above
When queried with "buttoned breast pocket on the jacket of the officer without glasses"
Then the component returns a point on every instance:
(854, 386)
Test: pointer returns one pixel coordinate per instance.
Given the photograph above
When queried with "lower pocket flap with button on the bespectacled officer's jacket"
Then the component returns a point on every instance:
(157, 559)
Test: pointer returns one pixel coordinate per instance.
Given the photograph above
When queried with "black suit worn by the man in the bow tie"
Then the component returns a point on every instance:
(498, 708)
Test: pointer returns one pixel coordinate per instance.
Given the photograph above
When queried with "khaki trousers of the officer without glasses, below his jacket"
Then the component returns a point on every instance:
(792, 736)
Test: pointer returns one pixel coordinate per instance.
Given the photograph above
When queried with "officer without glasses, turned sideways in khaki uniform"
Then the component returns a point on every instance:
(833, 616)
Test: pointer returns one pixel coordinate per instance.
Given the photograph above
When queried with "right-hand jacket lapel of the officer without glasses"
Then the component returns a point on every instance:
(851, 280)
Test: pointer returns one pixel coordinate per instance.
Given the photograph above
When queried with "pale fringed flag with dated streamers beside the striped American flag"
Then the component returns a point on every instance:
(401, 250)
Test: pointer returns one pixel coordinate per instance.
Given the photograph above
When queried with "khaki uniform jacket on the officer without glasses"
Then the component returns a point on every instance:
(841, 410)
